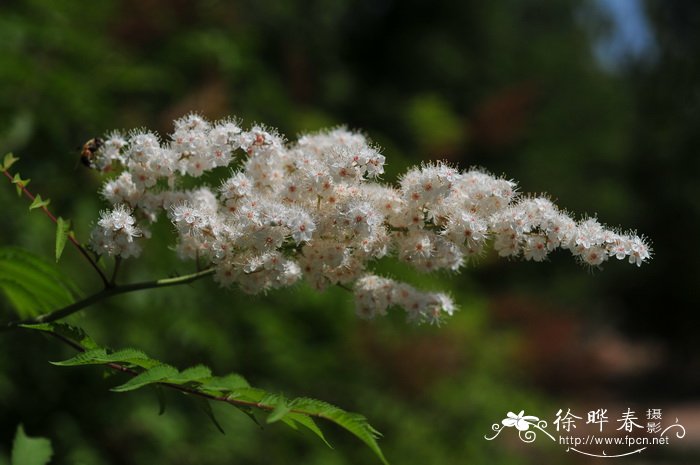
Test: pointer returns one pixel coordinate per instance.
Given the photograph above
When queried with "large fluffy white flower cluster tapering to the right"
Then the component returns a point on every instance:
(314, 210)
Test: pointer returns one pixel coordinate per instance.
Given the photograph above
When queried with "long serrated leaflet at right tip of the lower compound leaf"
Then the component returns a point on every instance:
(351, 422)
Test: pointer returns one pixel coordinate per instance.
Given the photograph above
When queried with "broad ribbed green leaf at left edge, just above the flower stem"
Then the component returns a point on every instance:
(31, 284)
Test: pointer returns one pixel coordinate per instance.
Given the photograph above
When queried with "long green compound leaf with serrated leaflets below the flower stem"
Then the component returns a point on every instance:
(198, 381)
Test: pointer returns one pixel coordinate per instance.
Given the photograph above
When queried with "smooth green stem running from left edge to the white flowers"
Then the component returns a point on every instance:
(105, 294)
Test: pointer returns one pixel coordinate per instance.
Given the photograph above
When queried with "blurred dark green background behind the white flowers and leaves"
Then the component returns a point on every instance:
(595, 103)
